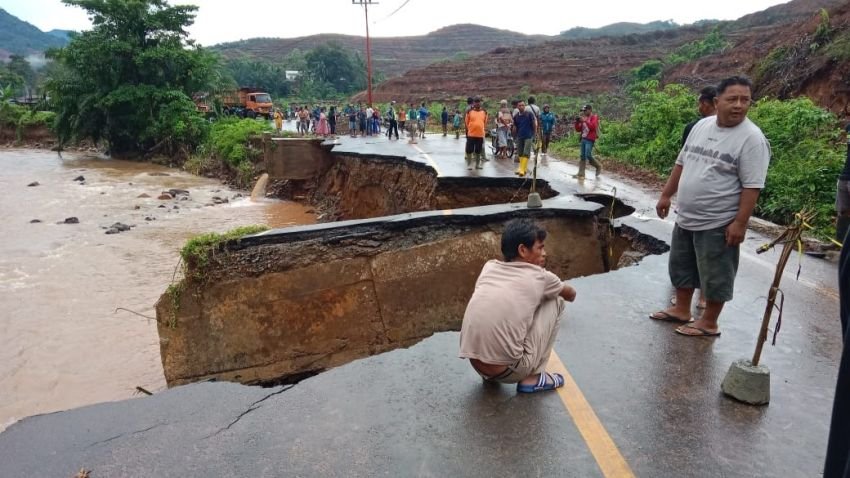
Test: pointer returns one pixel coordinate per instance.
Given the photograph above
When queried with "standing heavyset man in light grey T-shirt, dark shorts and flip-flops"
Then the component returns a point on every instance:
(718, 176)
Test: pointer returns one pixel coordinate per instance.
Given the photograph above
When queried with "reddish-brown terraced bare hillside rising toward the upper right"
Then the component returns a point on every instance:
(778, 47)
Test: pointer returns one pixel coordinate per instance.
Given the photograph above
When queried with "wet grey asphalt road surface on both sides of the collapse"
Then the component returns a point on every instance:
(424, 412)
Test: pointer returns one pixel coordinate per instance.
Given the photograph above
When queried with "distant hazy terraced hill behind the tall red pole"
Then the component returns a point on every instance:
(391, 56)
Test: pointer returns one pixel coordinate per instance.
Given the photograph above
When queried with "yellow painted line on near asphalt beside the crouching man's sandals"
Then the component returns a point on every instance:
(604, 450)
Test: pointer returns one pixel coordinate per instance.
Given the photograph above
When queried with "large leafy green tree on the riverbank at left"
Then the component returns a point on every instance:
(129, 80)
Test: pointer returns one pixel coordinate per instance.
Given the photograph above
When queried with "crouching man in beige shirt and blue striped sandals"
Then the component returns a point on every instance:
(513, 317)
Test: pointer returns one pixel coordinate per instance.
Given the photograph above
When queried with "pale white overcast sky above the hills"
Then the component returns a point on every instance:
(229, 20)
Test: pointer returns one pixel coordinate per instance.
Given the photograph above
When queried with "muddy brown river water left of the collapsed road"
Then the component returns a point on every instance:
(62, 342)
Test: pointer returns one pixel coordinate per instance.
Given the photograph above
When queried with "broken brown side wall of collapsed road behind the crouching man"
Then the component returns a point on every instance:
(295, 304)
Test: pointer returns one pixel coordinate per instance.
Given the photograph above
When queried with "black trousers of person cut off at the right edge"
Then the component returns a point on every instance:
(838, 448)
